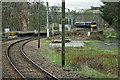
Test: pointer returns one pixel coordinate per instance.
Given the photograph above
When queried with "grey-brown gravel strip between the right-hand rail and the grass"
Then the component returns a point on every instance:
(33, 52)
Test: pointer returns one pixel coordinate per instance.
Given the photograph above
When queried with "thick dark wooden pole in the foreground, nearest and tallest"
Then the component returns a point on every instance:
(63, 33)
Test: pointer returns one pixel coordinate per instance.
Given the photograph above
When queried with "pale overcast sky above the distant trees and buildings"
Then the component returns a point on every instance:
(76, 4)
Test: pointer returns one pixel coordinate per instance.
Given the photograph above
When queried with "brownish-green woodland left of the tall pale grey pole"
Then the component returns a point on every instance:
(16, 14)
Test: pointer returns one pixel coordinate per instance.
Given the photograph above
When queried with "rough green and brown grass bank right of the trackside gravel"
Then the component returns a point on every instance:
(85, 60)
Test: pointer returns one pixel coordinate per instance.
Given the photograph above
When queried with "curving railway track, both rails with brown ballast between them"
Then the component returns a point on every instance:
(23, 65)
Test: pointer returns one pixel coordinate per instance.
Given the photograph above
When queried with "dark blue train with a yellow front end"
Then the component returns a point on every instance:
(86, 25)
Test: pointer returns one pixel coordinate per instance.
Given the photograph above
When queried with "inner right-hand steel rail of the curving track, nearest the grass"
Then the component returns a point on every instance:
(36, 65)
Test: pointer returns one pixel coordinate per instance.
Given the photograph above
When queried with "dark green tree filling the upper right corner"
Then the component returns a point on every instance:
(110, 12)
